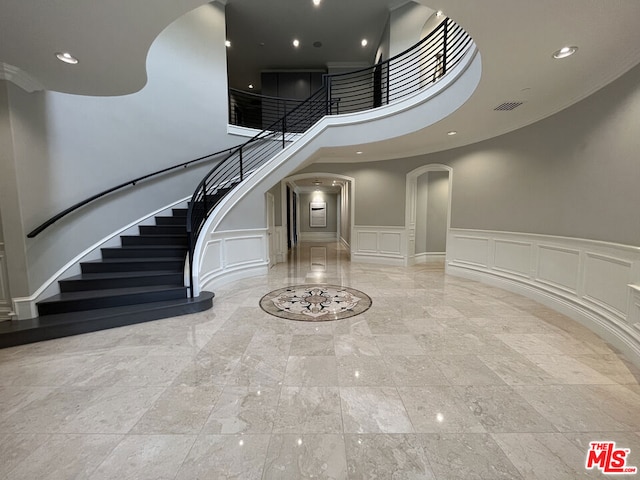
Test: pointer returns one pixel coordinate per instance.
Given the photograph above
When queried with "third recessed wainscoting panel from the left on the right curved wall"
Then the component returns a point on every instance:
(558, 267)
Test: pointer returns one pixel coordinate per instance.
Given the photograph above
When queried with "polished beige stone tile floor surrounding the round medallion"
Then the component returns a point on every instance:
(442, 378)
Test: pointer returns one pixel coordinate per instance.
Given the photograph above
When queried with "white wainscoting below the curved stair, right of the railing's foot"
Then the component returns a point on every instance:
(233, 255)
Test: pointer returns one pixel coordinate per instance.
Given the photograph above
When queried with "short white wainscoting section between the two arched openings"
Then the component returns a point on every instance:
(382, 245)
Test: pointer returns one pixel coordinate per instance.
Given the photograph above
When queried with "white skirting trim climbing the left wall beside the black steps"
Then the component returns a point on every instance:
(25, 307)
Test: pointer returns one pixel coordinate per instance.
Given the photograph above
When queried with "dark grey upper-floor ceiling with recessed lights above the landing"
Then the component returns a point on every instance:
(261, 35)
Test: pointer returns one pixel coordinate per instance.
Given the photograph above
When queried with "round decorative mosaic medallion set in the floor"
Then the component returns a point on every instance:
(315, 303)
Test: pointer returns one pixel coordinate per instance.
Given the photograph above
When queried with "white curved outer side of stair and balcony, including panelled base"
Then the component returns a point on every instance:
(217, 262)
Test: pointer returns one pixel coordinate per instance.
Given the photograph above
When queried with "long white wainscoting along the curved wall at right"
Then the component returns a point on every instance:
(595, 283)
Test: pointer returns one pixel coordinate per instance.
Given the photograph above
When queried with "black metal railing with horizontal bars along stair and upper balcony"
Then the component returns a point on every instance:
(392, 80)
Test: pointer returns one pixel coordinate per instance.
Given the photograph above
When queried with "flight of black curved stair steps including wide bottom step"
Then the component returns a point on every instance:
(141, 280)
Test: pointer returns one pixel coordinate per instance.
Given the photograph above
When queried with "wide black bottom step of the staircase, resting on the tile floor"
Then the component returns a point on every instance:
(21, 332)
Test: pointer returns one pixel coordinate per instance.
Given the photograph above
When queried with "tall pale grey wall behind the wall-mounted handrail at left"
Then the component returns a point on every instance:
(69, 147)
